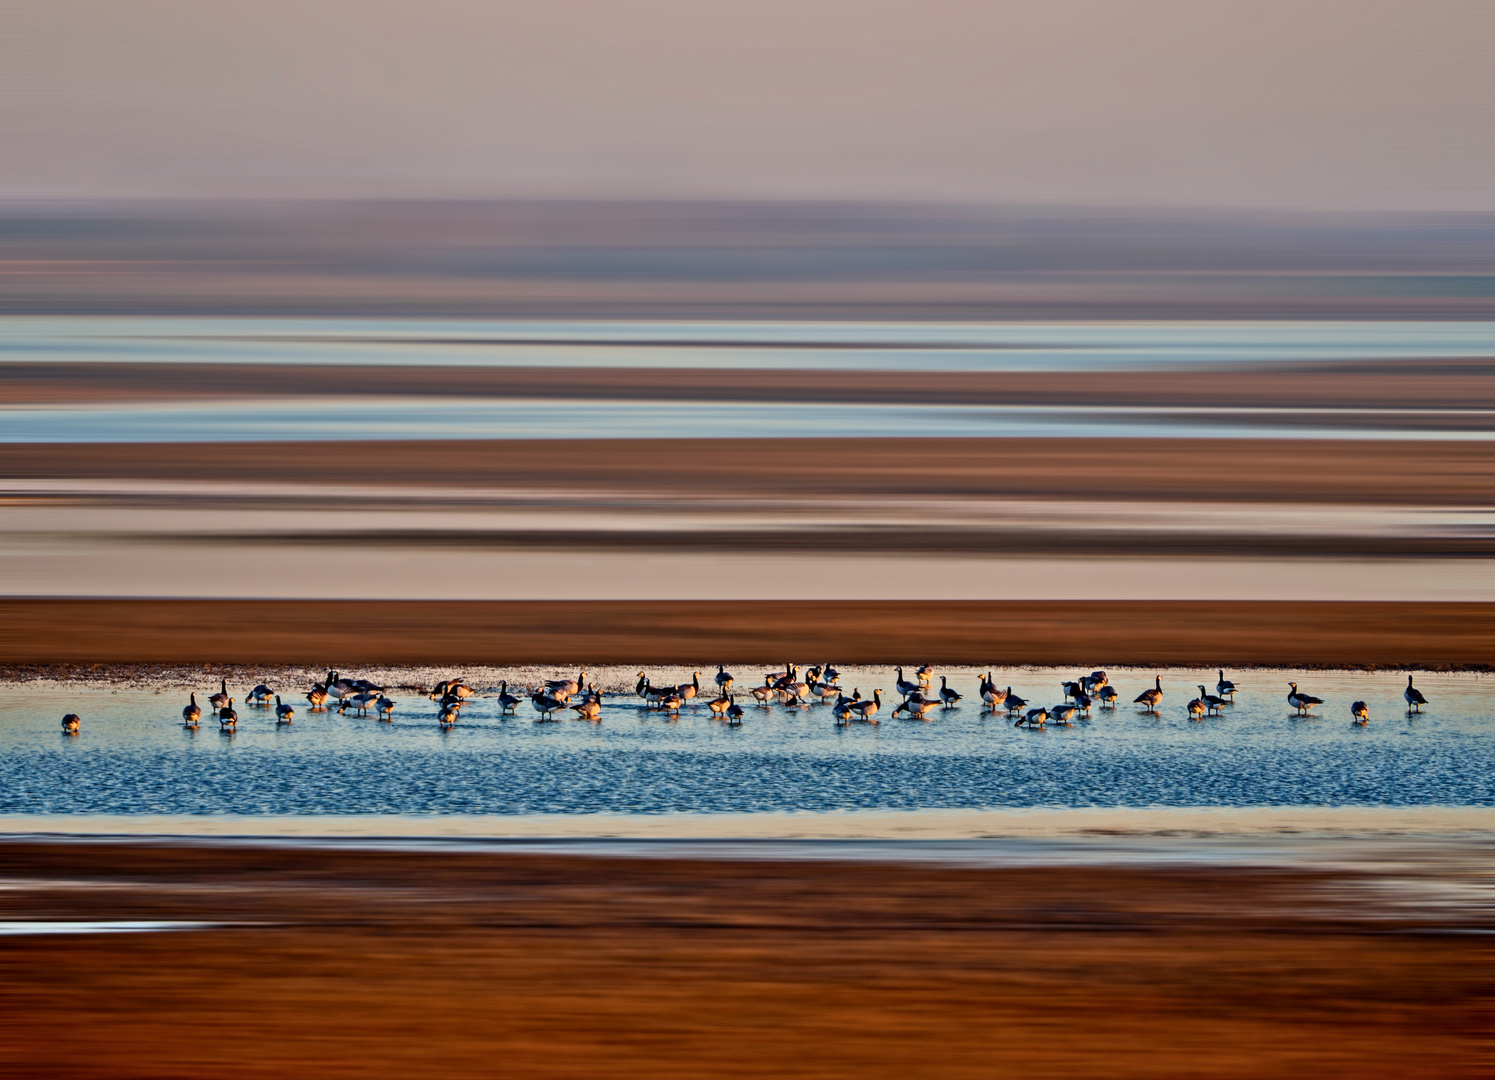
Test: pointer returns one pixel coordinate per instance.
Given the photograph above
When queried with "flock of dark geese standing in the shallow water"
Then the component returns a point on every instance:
(819, 684)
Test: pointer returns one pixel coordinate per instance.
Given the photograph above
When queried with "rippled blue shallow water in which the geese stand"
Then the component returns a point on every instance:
(134, 756)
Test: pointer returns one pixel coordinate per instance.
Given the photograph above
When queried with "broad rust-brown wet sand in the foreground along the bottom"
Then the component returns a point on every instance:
(424, 964)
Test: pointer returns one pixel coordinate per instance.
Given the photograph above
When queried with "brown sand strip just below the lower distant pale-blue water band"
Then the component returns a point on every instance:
(1433, 473)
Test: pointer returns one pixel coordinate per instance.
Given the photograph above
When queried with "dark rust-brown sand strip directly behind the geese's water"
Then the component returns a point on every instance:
(980, 633)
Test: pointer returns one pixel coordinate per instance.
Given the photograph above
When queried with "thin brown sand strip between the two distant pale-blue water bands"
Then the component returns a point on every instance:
(1457, 385)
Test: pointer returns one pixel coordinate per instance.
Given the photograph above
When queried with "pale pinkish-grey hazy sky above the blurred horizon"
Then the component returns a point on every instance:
(1255, 104)
